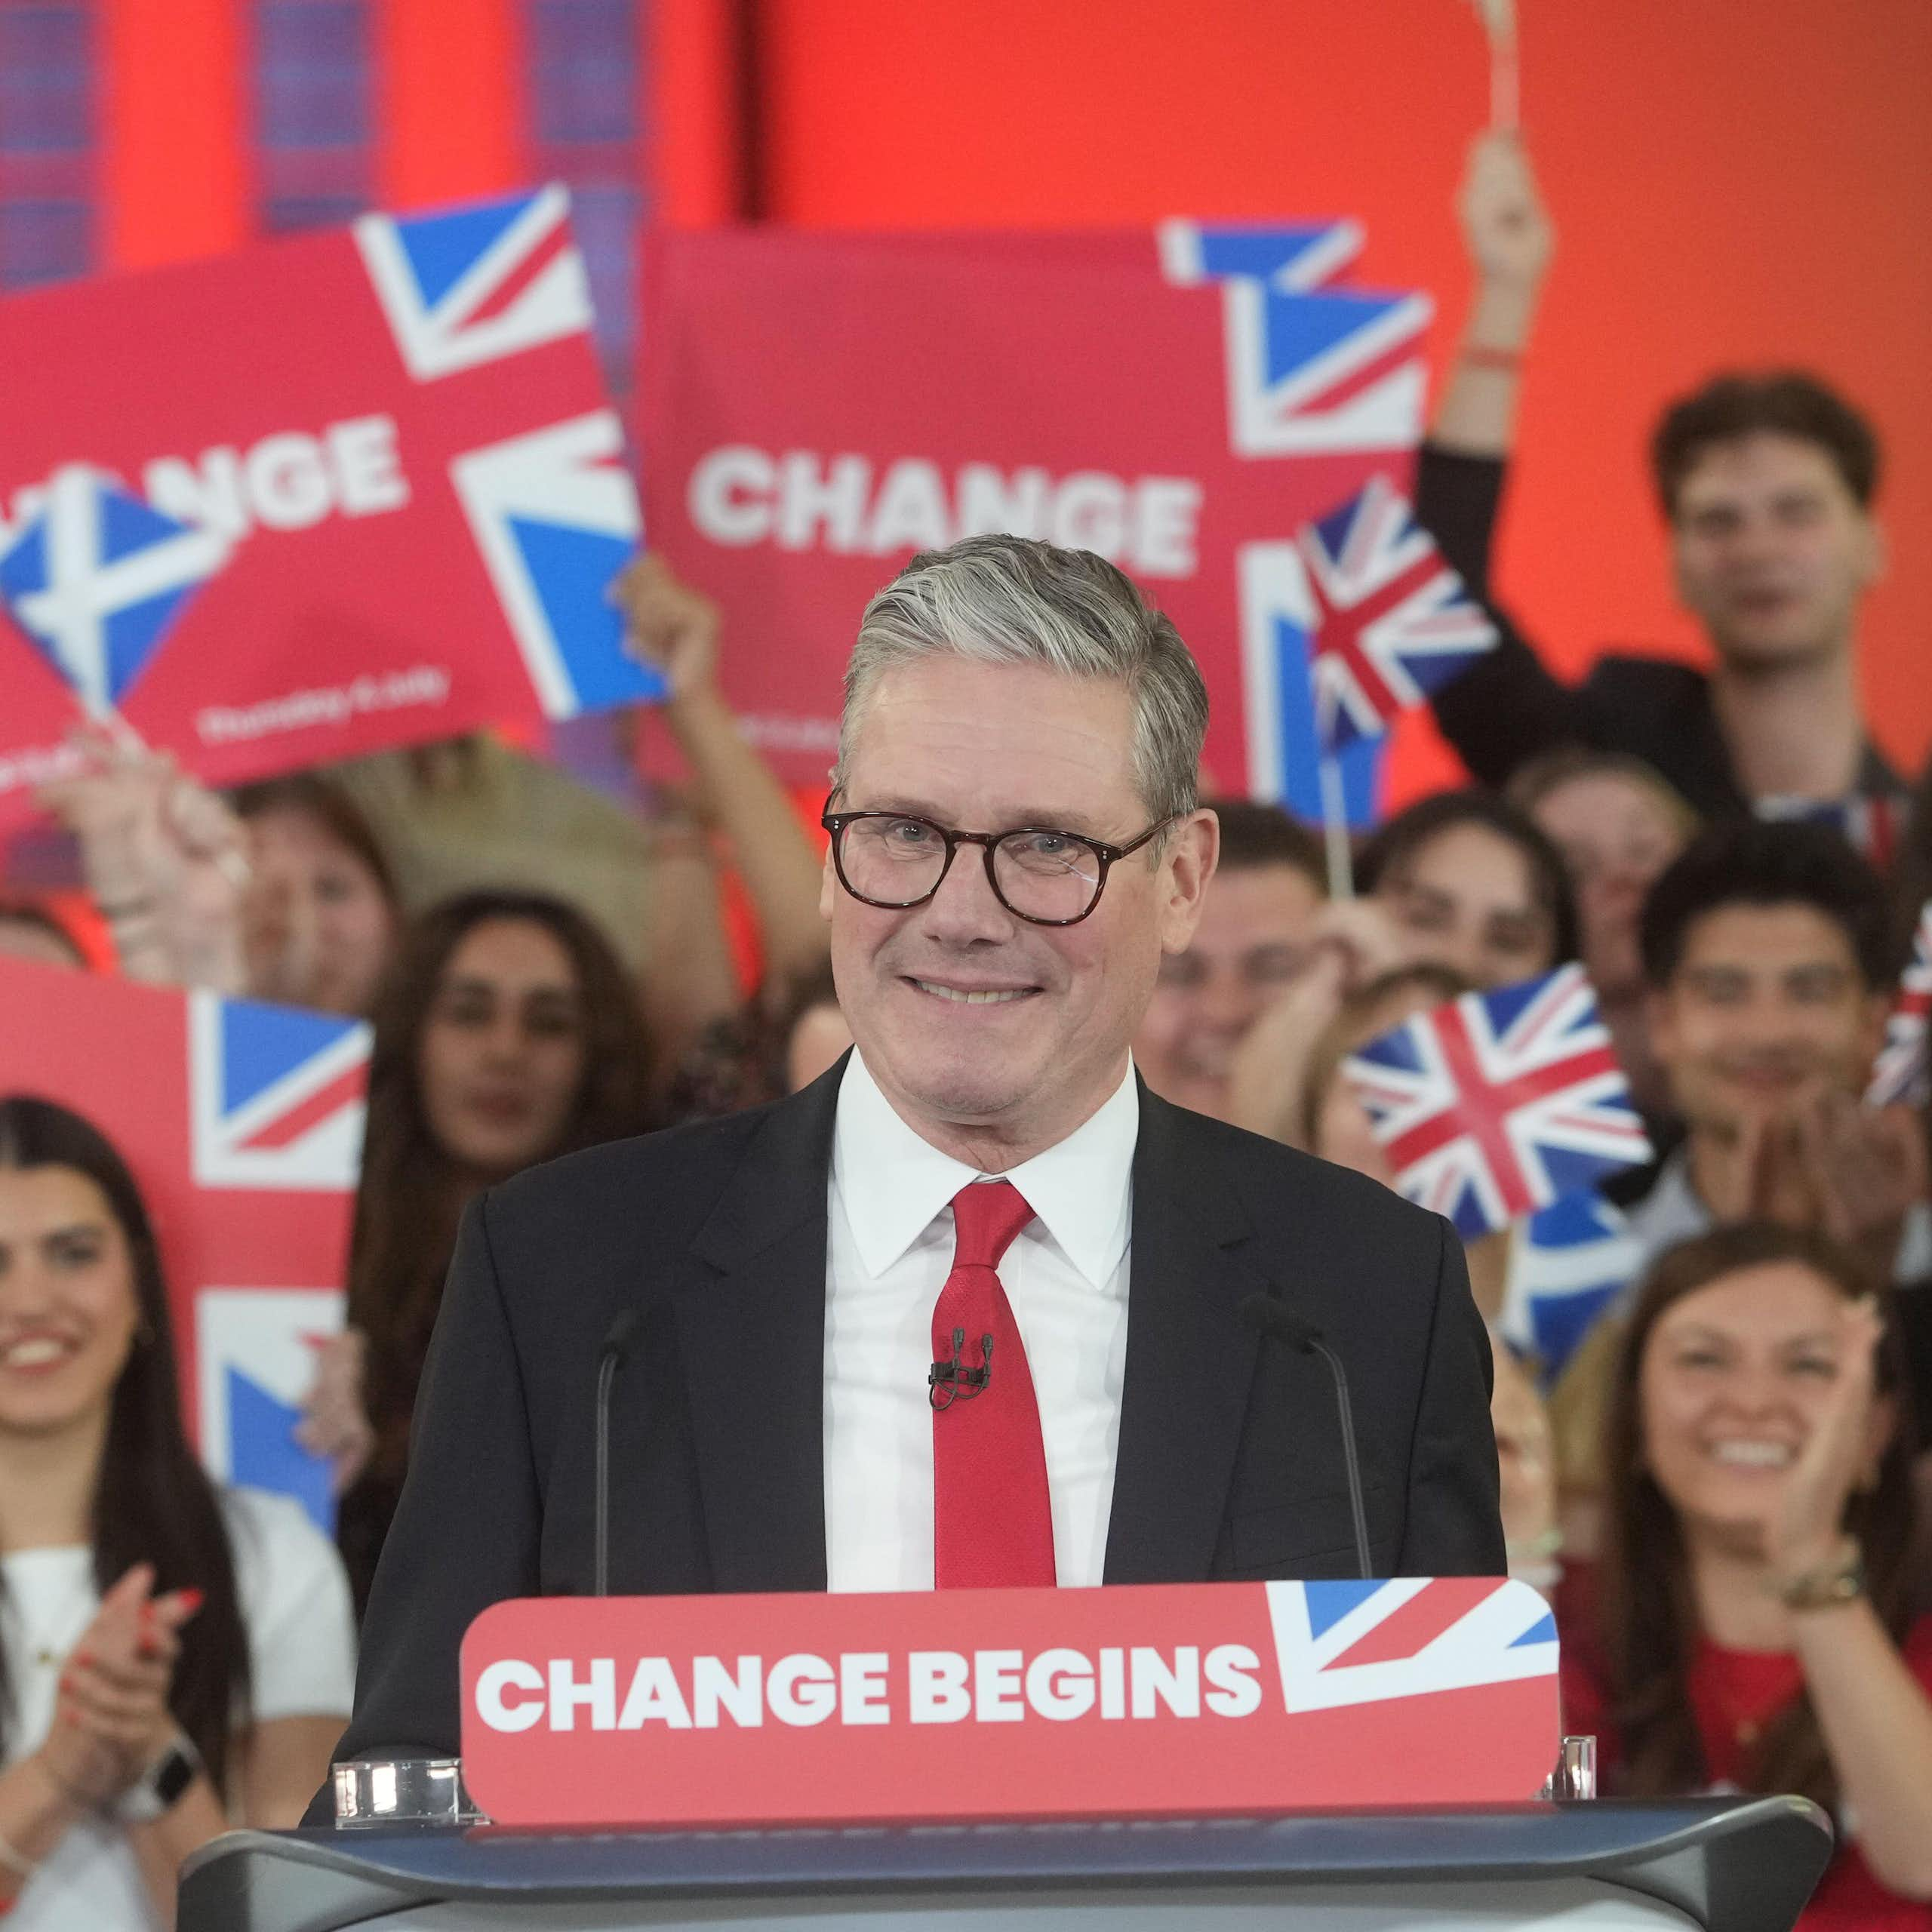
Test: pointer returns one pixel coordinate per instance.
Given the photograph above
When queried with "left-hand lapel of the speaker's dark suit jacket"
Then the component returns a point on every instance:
(753, 1348)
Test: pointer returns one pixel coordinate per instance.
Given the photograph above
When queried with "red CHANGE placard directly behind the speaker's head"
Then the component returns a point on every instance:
(814, 409)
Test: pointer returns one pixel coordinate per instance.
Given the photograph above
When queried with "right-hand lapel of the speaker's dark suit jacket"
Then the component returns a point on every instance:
(1189, 1357)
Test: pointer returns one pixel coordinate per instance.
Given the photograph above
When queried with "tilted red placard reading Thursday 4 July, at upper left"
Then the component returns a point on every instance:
(312, 499)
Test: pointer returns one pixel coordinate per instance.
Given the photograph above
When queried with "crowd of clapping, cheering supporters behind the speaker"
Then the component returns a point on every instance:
(1724, 1448)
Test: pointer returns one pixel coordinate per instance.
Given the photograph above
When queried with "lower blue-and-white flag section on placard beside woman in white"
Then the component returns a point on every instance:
(256, 1357)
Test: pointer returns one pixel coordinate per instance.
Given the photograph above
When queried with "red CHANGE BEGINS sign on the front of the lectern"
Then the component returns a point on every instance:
(975, 1705)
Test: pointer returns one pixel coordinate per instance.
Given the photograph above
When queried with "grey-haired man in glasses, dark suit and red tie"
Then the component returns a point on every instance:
(967, 1309)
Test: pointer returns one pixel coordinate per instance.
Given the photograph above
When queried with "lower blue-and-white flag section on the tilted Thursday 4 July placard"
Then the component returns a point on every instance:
(555, 517)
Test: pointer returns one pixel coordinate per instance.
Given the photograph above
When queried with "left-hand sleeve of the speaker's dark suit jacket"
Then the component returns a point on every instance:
(470, 1465)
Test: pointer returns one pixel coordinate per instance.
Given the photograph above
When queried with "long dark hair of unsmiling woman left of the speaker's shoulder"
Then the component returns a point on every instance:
(412, 1193)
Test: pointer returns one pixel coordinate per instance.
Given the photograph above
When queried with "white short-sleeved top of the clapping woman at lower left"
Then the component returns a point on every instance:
(302, 1664)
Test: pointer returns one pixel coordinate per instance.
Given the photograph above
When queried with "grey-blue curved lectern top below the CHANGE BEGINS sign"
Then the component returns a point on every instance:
(1728, 1865)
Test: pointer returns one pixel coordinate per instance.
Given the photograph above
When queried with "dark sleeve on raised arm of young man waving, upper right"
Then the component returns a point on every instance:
(1508, 708)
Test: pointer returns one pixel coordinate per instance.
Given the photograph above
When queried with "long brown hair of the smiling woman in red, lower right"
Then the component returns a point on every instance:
(1649, 1610)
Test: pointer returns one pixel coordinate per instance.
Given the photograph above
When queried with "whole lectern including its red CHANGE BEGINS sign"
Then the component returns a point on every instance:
(1145, 1759)
